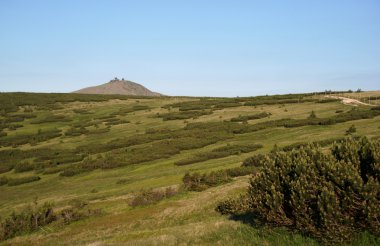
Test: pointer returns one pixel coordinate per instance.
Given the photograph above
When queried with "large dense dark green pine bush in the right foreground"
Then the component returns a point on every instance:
(328, 196)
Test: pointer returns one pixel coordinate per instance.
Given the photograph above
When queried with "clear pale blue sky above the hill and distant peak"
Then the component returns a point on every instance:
(197, 47)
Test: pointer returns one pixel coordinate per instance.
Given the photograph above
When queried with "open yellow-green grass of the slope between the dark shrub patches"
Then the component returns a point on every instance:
(188, 218)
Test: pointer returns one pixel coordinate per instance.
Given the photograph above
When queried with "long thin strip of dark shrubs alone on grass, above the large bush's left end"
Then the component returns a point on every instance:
(220, 153)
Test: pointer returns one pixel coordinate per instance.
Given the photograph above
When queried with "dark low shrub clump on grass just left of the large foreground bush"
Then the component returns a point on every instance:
(200, 182)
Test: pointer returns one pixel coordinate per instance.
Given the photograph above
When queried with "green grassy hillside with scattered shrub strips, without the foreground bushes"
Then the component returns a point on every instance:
(103, 150)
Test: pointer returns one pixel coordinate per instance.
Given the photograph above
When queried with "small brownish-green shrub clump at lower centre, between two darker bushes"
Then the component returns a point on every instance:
(148, 197)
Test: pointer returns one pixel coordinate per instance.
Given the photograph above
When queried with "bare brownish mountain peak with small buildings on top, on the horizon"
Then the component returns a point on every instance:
(119, 87)
